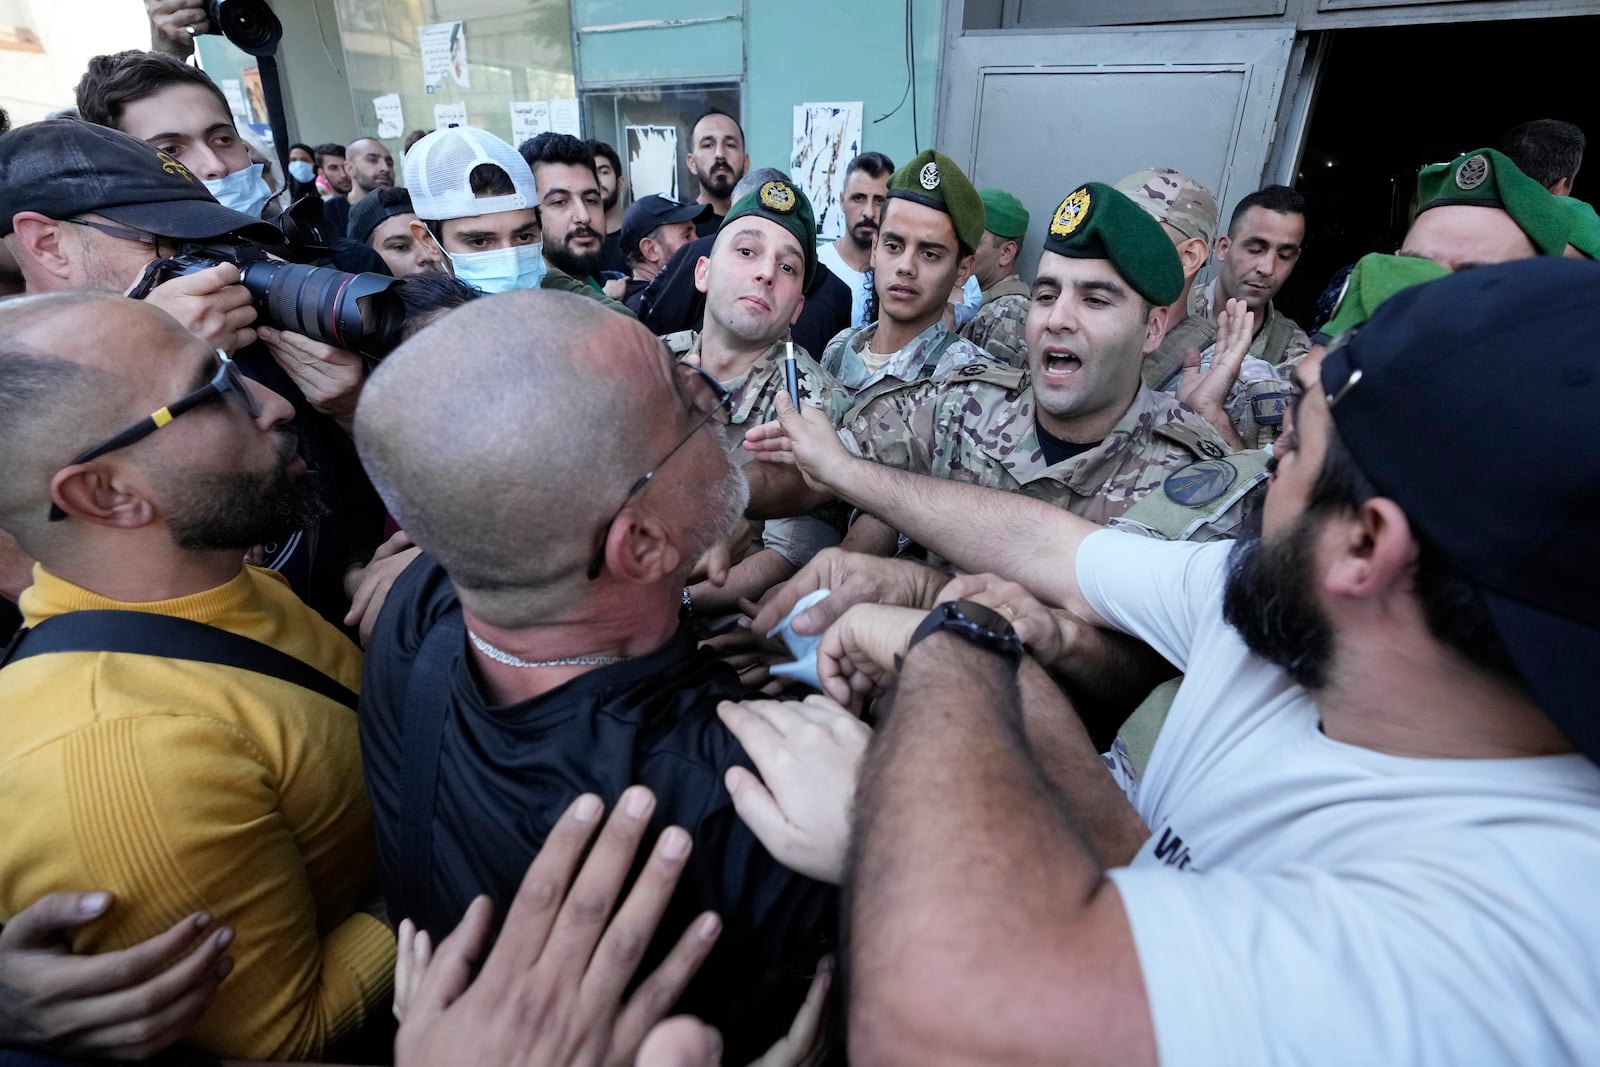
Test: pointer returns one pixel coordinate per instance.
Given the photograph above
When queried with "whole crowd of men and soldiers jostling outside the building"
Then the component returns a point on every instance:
(1082, 657)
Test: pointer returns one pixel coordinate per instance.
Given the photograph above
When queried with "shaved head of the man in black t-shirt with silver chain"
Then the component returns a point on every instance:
(505, 438)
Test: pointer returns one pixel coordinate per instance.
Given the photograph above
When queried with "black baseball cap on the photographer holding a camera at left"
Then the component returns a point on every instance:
(66, 167)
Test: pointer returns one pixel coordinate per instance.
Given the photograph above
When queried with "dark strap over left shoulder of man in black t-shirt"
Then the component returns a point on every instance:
(426, 711)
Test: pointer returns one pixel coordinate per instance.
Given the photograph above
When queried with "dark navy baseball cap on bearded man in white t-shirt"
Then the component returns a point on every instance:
(1471, 402)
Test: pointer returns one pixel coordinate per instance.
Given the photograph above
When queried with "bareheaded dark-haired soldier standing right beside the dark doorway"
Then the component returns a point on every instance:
(1254, 262)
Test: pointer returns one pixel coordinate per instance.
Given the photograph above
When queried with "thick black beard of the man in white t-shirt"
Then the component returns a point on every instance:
(1270, 602)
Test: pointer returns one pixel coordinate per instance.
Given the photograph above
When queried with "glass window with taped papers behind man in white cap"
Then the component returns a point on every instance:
(510, 50)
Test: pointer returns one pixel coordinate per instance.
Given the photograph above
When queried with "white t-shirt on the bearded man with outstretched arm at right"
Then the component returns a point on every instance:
(1305, 901)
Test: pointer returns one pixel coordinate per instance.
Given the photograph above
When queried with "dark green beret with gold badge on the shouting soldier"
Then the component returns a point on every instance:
(1095, 222)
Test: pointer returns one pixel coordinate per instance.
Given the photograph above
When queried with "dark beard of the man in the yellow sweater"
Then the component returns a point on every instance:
(239, 511)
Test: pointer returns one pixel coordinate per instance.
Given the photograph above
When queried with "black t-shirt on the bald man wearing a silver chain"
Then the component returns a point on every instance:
(506, 775)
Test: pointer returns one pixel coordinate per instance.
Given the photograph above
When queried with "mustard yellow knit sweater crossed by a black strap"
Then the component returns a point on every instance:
(185, 786)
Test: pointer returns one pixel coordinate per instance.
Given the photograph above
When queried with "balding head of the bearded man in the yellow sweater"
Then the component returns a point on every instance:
(78, 367)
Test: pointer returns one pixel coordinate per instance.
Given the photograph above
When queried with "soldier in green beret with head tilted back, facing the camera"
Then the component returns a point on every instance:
(754, 281)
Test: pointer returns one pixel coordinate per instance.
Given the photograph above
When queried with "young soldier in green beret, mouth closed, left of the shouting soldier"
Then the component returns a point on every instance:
(932, 223)
